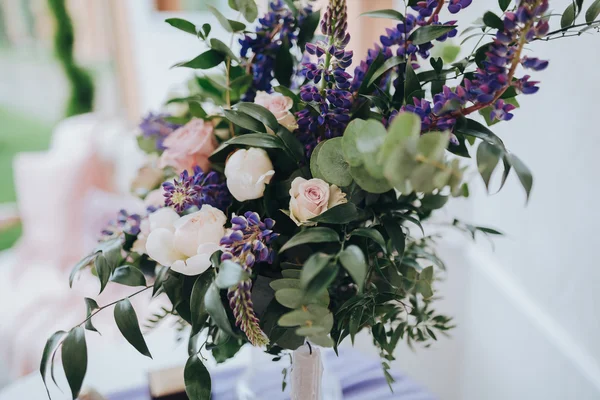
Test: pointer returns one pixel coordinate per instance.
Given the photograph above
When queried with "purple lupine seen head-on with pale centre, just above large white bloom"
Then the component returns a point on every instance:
(197, 189)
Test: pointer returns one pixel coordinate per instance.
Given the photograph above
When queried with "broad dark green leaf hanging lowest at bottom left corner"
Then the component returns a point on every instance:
(74, 359)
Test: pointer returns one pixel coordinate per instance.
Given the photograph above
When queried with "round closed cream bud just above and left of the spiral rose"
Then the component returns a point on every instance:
(248, 172)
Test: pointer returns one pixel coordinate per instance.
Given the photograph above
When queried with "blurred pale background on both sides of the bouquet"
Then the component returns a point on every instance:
(526, 308)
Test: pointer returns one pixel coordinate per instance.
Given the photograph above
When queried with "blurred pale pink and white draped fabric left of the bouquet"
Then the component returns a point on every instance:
(65, 197)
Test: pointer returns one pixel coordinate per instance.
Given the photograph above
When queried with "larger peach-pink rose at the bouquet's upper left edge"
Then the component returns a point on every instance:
(189, 145)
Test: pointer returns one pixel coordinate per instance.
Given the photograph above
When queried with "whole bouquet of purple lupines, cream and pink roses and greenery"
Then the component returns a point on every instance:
(350, 165)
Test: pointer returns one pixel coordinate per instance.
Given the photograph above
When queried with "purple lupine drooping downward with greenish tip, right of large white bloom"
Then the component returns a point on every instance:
(247, 243)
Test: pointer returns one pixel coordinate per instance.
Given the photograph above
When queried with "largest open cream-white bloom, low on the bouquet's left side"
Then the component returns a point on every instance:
(185, 244)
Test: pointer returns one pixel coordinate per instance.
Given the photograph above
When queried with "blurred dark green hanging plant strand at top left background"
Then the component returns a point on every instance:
(81, 99)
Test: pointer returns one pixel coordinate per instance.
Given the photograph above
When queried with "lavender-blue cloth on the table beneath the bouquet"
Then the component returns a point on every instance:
(361, 378)
